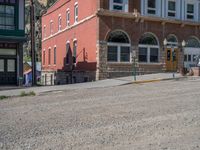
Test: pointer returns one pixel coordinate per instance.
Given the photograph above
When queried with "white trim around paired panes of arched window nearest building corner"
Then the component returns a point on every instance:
(118, 45)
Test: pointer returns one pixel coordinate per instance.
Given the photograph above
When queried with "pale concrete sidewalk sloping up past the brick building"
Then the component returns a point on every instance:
(96, 84)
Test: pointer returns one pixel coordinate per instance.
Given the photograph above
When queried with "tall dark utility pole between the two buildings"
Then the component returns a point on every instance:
(32, 25)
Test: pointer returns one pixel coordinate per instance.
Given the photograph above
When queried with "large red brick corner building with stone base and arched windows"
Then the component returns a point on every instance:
(97, 39)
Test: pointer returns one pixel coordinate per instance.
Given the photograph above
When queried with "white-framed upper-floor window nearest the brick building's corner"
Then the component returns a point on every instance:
(119, 5)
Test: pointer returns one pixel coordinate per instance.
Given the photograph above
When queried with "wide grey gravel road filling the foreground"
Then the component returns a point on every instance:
(153, 116)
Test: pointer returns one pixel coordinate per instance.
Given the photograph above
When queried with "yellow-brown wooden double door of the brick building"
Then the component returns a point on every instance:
(171, 59)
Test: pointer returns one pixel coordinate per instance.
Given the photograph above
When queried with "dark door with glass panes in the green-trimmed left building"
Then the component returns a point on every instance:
(8, 75)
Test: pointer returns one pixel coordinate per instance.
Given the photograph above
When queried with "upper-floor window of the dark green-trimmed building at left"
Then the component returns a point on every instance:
(7, 17)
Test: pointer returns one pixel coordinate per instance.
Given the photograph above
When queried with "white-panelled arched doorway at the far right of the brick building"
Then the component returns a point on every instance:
(191, 52)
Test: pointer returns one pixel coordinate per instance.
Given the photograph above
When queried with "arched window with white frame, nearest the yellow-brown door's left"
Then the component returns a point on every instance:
(148, 49)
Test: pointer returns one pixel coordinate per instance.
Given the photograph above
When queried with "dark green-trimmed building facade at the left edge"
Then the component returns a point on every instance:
(12, 36)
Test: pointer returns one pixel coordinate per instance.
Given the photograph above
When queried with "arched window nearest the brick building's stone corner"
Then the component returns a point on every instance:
(118, 47)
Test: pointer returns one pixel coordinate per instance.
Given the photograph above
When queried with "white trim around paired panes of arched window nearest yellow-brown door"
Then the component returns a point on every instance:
(148, 53)
